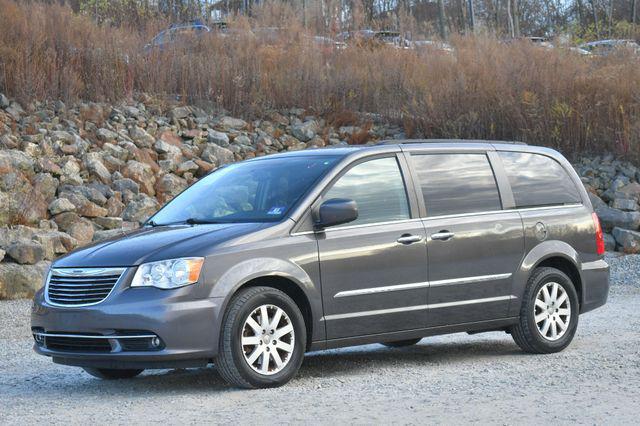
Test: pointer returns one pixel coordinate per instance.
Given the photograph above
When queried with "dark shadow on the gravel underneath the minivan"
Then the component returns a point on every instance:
(322, 364)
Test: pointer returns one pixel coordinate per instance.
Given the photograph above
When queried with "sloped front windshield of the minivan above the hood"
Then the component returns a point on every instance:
(253, 191)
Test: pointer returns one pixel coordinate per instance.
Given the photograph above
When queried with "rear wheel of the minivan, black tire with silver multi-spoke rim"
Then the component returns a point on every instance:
(527, 333)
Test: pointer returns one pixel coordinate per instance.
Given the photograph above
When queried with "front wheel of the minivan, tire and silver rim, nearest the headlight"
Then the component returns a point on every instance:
(245, 344)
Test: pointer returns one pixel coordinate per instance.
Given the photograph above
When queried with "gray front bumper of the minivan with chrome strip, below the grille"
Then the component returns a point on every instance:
(186, 325)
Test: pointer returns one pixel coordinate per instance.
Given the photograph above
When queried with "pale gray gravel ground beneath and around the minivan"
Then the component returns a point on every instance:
(458, 378)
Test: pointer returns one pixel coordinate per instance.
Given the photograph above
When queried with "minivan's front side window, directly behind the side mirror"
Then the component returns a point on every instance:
(378, 189)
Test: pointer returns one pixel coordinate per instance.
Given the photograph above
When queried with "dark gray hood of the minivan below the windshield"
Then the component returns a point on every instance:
(158, 243)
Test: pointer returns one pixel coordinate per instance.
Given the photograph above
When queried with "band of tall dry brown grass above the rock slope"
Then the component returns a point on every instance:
(486, 90)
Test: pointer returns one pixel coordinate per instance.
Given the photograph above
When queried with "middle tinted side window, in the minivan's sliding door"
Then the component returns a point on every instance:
(457, 183)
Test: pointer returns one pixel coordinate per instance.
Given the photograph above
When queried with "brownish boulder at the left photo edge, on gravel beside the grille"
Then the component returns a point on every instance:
(21, 281)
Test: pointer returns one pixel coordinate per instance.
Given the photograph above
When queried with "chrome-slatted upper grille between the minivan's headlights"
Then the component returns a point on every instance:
(81, 287)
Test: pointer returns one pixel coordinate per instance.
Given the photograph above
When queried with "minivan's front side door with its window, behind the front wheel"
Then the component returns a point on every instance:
(373, 270)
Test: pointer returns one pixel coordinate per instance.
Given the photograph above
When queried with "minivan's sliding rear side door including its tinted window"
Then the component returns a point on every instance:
(474, 245)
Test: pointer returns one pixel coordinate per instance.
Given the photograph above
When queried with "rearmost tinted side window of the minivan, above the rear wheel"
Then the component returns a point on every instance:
(538, 180)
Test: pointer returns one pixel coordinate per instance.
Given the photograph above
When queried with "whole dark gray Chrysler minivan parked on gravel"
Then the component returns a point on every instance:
(266, 259)
